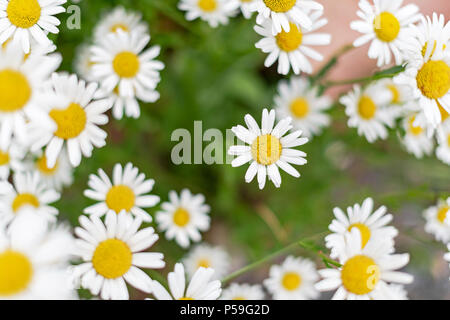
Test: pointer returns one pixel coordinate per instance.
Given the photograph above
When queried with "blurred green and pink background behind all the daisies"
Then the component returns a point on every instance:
(217, 76)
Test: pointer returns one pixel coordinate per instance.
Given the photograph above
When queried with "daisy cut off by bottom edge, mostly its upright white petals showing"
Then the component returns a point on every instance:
(201, 287)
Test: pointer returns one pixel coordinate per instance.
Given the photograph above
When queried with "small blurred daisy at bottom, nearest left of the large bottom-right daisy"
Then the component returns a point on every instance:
(294, 279)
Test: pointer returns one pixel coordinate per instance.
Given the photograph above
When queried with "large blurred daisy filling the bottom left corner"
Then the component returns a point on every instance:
(34, 258)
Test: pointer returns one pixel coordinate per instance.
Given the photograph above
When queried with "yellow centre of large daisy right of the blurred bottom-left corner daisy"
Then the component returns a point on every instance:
(112, 258)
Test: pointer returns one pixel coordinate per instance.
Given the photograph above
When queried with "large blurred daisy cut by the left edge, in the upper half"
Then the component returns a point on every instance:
(20, 83)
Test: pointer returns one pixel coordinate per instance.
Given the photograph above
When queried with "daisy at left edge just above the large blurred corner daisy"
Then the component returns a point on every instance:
(27, 190)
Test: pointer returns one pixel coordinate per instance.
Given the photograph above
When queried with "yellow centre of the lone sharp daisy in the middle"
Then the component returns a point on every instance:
(266, 149)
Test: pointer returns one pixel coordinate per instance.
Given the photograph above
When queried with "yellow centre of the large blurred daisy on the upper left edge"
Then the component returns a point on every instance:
(15, 91)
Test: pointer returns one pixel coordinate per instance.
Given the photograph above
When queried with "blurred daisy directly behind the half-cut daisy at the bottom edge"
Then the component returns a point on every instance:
(207, 256)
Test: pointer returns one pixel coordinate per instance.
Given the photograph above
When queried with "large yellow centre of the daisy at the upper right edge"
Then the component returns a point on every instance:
(434, 79)
